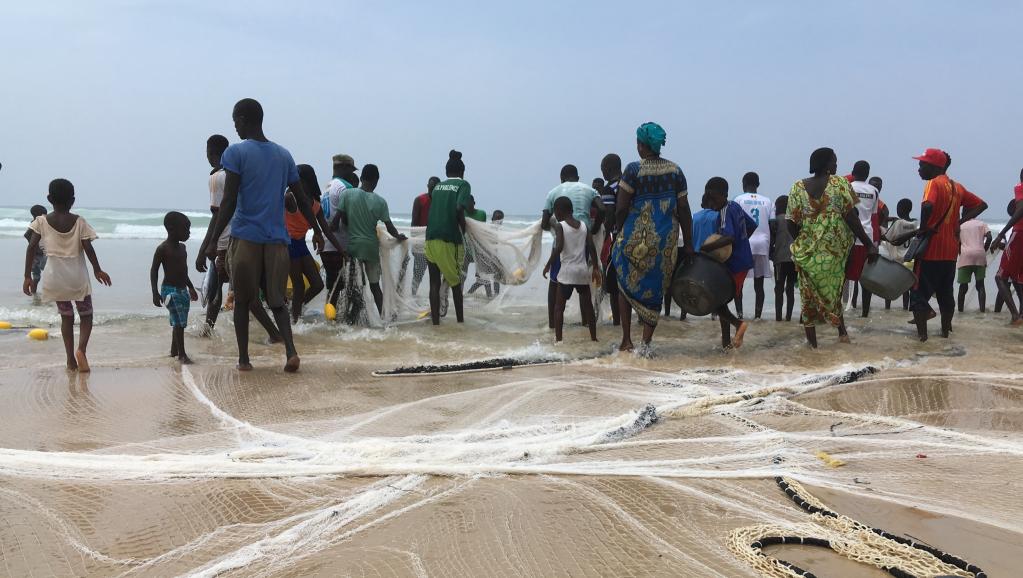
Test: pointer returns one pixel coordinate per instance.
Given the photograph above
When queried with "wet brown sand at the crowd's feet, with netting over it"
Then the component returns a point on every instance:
(145, 469)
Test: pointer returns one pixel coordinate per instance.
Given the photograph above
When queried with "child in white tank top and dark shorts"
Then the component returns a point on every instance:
(574, 249)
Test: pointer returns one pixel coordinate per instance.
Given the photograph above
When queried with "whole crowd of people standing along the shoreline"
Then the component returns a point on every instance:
(625, 237)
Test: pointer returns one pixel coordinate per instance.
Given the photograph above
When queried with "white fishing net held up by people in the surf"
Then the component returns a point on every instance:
(497, 260)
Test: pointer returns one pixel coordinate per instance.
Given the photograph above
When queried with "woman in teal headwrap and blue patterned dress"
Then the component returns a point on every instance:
(652, 208)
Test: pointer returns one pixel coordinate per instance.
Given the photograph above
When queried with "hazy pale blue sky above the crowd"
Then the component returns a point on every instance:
(120, 97)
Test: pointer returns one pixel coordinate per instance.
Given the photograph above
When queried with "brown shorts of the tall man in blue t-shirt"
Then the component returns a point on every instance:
(256, 266)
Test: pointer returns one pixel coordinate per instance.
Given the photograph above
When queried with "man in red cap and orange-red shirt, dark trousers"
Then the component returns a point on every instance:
(941, 218)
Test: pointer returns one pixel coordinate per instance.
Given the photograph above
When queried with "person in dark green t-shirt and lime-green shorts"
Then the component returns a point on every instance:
(446, 226)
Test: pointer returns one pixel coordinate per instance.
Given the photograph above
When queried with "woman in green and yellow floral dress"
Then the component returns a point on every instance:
(823, 219)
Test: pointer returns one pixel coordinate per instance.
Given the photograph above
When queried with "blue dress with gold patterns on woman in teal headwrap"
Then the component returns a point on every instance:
(644, 254)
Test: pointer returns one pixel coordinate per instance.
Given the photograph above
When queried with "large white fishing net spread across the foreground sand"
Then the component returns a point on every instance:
(586, 470)
